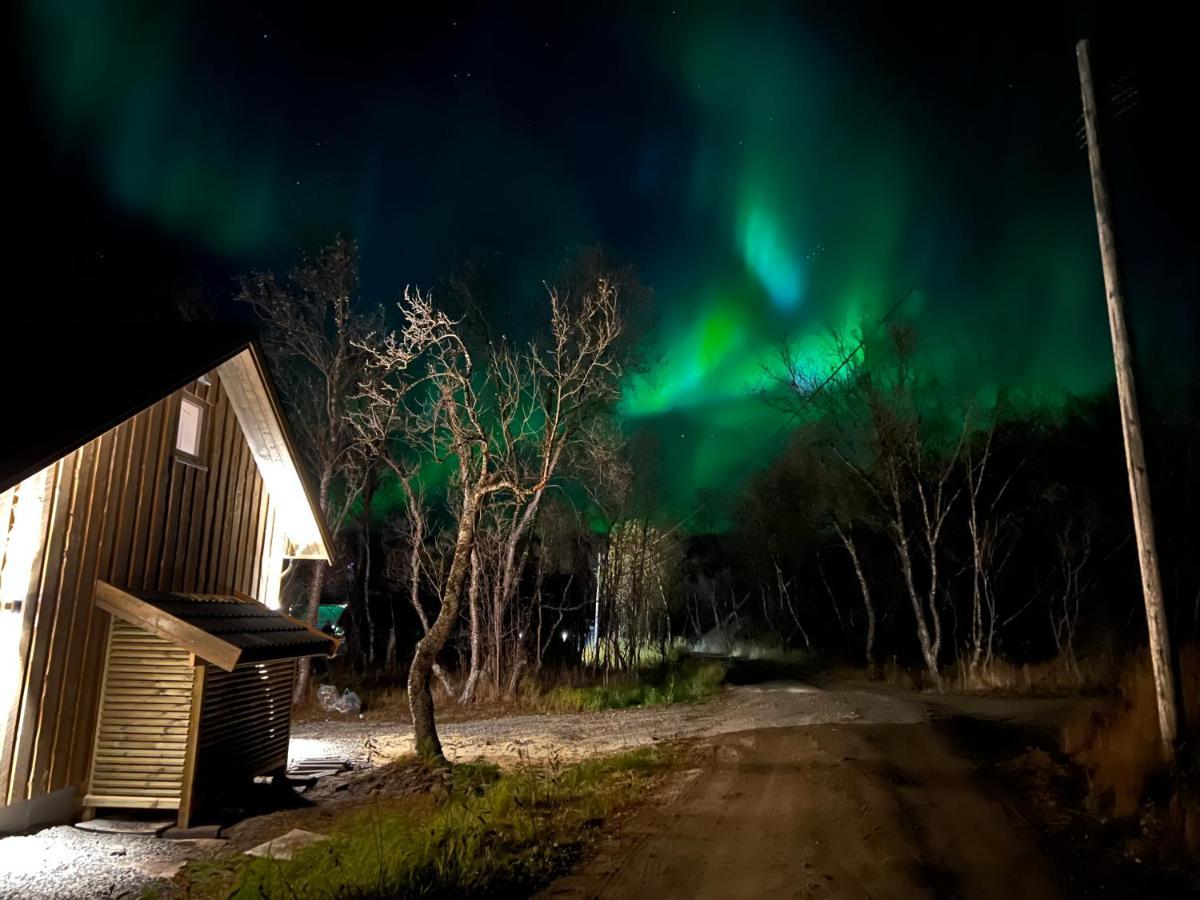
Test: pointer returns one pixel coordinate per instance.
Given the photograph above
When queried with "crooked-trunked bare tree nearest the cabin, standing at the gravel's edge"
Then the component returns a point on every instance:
(503, 417)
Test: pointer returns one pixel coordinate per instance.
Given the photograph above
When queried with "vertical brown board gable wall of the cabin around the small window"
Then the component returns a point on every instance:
(124, 509)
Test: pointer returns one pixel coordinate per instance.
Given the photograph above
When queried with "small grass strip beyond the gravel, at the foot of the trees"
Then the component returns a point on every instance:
(673, 681)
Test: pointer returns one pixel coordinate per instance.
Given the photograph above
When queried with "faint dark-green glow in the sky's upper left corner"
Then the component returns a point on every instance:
(119, 87)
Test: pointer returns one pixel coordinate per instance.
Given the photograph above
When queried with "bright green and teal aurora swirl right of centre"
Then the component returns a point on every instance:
(820, 237)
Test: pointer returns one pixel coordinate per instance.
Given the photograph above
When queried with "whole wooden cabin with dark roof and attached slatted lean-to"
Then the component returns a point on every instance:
(151, 502)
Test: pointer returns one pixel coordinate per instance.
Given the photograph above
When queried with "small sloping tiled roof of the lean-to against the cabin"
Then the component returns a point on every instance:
(224, 629)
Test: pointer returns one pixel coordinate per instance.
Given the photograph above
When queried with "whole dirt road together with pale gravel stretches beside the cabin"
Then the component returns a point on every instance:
(796, 790)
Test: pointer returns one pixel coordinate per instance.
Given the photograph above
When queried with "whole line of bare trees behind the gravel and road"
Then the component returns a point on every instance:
(494, 520)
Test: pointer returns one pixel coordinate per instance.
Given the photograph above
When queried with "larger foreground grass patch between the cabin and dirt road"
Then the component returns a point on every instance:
(496, 833)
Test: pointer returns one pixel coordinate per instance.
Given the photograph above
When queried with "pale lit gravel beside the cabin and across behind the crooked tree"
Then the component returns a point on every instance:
(65, 862)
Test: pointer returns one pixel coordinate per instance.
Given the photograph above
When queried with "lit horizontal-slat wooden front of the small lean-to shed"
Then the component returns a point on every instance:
(141, 751)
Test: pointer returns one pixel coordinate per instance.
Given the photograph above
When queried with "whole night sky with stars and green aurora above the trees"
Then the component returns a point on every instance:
(770, 172)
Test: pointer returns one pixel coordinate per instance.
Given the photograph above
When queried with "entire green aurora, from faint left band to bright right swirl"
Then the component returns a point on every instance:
(803, 191)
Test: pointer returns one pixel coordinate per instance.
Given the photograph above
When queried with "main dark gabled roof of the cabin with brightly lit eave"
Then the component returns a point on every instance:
(67, 387)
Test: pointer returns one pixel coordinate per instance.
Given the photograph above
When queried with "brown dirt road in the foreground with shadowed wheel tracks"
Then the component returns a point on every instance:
(867, 811)
